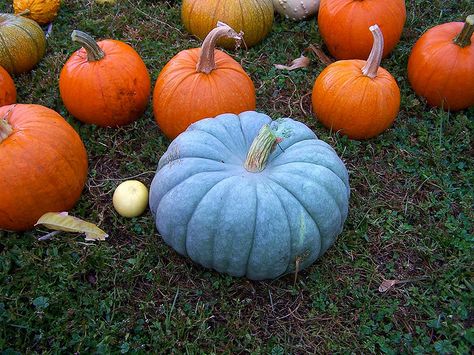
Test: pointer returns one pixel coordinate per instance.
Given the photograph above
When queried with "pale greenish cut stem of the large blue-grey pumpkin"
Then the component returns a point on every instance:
(260, 150)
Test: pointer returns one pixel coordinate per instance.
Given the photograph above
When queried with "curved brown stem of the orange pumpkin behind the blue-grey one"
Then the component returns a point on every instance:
(206, 62)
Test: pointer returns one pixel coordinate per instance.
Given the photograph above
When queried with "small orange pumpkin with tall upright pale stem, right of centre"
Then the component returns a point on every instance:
(358, 98)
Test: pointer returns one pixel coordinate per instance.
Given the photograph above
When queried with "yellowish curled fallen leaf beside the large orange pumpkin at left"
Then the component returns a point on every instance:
(63, 222)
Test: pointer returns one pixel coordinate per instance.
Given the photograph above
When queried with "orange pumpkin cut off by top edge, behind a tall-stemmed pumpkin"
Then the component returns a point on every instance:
(344, 24)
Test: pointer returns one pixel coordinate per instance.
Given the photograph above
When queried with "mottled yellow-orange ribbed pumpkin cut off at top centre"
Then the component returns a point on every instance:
(253, 17)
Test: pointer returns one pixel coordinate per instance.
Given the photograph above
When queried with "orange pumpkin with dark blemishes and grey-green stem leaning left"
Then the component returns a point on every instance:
(105, 83)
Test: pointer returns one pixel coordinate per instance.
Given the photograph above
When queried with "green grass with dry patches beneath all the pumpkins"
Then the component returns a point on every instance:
(410, 219)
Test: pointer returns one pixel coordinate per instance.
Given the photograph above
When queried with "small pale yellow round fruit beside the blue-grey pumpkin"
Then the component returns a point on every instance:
(130, 198)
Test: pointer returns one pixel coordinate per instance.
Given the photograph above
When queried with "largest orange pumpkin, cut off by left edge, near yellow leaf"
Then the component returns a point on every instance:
(44, 165)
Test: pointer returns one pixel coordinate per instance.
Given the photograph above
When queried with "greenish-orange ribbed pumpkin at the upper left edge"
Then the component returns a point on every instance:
(22, 43)
